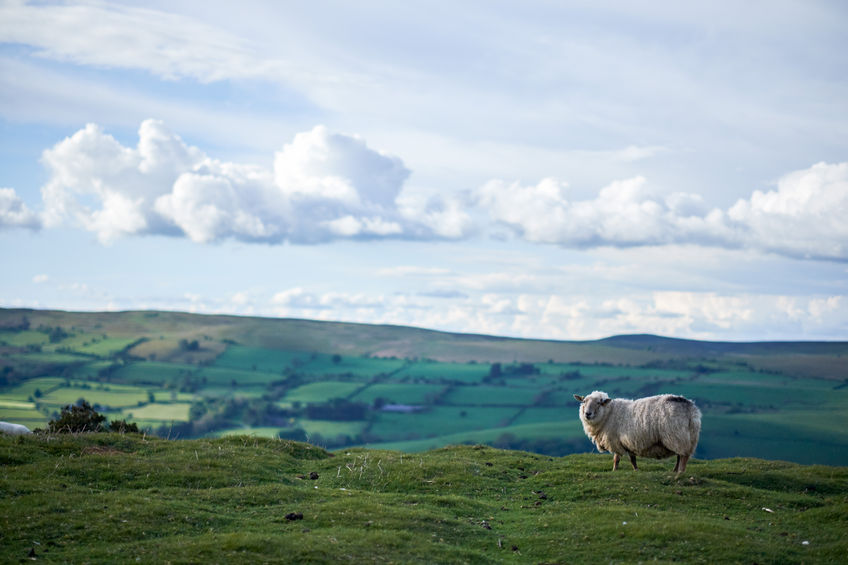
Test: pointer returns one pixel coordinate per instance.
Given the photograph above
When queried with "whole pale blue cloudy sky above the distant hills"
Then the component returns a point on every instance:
(555, 170)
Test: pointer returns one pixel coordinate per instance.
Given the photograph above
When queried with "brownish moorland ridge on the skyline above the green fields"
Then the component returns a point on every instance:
(401, 341)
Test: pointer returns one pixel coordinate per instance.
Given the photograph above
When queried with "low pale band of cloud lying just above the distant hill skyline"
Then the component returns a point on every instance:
(697, 315)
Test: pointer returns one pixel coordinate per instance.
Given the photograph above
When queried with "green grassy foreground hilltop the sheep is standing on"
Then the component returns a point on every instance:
(105, 498)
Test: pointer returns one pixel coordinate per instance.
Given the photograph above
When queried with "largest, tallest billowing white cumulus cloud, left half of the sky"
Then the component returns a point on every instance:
(324, 186)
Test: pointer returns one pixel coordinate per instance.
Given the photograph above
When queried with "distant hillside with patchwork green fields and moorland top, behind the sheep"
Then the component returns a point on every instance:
(340, 385)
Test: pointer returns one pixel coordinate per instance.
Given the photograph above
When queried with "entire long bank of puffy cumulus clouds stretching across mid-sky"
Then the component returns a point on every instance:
(326, 186)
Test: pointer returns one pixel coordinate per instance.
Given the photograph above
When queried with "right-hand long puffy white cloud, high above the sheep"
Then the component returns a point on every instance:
(803, 218)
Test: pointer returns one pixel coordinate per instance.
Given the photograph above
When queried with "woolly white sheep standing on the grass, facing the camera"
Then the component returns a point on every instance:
(656, 426)
